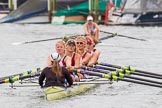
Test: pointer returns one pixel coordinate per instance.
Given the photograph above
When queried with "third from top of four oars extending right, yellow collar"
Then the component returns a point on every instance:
(116, 73)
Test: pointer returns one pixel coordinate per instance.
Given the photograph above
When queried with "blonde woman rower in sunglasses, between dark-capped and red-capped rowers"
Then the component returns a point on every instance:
(81, 49)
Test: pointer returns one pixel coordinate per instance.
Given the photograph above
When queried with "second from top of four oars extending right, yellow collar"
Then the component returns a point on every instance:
(124, 71)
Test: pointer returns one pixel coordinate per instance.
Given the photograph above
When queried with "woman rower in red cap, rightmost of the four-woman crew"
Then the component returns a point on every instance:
(93, 52)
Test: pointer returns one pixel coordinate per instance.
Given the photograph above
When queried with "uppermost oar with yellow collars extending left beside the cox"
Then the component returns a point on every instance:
(13, 78)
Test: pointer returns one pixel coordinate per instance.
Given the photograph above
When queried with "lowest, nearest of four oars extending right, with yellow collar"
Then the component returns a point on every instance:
(115, 78)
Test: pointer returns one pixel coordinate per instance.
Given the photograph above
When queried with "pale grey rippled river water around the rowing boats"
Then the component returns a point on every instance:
(144, 55)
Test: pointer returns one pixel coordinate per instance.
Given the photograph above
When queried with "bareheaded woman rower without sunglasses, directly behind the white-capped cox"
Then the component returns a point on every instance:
(64, 60)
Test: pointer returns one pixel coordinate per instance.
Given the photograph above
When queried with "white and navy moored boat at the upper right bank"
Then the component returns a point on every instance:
(137, 12)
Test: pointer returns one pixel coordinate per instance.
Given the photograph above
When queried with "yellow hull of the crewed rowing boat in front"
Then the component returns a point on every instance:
(55, 92)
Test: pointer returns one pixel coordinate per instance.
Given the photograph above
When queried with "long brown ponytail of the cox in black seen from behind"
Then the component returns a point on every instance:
(56, 68)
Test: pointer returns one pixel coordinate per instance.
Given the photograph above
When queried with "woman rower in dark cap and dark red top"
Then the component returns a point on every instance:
(75, 58)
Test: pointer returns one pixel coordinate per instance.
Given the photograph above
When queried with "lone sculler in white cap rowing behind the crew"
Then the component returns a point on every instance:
(92, 29)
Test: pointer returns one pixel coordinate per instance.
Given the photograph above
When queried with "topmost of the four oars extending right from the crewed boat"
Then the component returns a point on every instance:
(128, 68)
